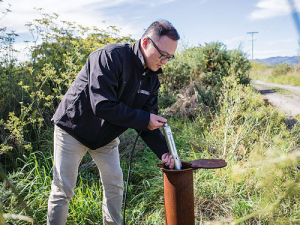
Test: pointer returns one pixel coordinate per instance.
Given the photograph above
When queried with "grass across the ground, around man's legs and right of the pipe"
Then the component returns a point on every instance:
(260, 184)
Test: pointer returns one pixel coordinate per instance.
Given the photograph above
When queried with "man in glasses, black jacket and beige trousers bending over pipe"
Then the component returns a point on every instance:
(116, 89)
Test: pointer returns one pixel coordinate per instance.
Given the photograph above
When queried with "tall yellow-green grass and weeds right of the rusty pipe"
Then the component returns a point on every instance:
(260, 185)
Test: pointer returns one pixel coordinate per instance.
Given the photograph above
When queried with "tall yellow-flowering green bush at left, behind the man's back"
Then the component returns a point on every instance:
(32, 90)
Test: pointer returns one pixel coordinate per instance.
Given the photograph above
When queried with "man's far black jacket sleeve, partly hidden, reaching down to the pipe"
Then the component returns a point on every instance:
(154, 139)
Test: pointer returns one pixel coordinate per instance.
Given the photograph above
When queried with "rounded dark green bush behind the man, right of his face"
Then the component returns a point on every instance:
(205, 66)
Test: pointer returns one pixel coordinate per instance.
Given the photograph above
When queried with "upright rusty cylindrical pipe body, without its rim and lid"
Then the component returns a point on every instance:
(179, 197)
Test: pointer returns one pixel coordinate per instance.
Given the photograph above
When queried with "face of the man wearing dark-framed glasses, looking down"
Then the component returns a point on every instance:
(152, 55)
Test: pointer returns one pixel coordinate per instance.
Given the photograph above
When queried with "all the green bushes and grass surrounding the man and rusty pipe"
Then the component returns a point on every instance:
(228, 120)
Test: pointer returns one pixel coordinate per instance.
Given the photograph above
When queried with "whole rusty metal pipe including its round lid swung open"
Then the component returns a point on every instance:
(179, 190)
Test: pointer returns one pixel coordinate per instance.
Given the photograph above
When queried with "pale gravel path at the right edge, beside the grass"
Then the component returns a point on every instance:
(288, 103)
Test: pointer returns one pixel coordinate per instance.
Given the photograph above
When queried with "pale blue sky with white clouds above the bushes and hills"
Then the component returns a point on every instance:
(197, 21)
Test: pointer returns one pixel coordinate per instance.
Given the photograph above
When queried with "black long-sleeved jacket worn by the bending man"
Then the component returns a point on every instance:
(111, 93)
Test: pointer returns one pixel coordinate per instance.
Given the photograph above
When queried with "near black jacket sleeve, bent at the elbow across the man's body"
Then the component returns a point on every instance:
(104, 68)
